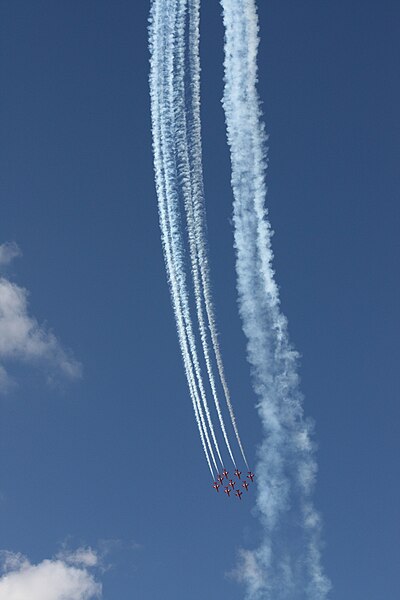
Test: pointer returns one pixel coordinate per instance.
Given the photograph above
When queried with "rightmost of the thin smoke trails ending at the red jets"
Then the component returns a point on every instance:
(196, 168)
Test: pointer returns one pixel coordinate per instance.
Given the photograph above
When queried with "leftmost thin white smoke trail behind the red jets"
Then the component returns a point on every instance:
(158, 49)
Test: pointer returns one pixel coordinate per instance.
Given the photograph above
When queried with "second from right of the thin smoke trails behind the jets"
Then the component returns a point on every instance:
(189, 178)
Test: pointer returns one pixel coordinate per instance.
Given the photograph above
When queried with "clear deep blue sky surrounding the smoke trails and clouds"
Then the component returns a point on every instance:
(110, 458)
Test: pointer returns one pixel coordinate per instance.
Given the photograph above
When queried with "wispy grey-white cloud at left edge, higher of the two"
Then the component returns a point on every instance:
(22, 338)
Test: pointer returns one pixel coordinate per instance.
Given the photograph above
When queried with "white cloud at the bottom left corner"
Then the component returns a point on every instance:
(51, 579)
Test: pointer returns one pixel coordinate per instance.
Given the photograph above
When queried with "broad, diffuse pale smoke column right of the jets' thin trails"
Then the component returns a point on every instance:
(288, 562)
